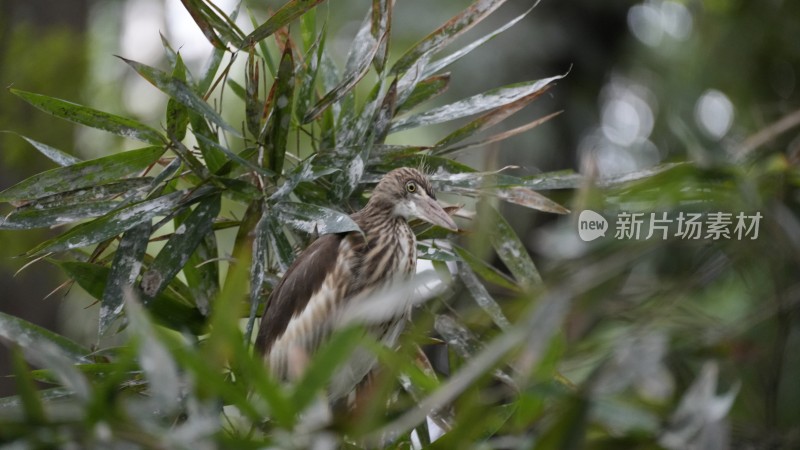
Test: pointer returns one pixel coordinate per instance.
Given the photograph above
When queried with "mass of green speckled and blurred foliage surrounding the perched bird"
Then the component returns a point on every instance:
(620, 343)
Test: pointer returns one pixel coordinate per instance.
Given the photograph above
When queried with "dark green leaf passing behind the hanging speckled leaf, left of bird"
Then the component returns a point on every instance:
(166, 308)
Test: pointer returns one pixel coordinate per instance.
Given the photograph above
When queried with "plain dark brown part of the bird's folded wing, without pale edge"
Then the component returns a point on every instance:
(291, 295)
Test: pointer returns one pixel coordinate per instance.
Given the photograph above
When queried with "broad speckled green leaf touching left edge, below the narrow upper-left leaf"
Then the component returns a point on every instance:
(83, 174)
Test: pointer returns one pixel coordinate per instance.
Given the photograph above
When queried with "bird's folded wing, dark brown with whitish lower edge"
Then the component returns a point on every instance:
(305, 279)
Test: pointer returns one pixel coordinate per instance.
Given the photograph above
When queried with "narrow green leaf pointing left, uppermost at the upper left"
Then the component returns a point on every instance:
(92, 118)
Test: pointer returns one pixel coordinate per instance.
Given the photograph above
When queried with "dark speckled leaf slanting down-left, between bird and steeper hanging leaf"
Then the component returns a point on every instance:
(180, 246)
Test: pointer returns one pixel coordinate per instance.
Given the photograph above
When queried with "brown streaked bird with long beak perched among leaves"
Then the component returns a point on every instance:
(340, 270)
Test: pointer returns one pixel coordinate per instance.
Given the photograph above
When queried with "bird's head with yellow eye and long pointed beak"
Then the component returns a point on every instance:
(408, 194)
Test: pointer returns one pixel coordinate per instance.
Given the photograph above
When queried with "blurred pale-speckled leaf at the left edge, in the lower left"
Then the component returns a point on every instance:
(29, 337)
